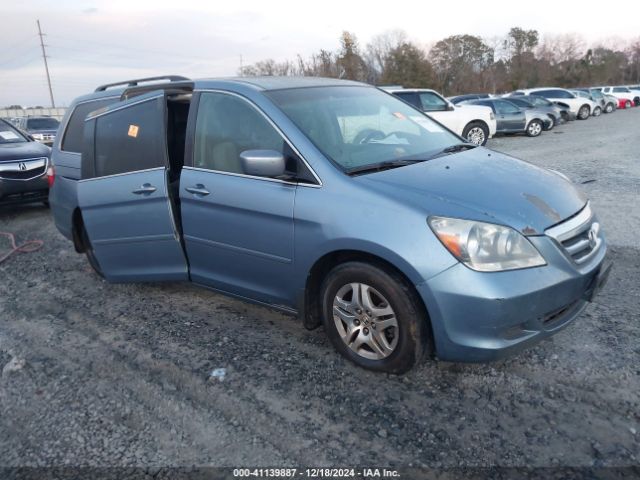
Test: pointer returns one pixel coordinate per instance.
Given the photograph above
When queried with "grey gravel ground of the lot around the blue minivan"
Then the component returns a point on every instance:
(118, 375)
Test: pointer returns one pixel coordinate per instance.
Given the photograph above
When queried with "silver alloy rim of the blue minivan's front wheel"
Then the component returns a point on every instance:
(365, 321)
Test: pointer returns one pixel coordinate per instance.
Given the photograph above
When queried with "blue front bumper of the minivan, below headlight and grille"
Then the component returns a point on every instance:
(478, 317)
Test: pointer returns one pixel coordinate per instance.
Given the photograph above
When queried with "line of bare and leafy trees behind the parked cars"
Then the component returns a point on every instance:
(468, 63)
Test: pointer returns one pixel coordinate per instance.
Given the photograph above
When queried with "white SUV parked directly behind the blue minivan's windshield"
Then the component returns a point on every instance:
(474, 123)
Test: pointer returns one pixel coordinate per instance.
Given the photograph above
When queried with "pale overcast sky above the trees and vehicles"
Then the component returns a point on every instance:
(94, 42)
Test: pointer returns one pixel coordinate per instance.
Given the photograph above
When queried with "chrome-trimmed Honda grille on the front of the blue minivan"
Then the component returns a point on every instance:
(579, 237)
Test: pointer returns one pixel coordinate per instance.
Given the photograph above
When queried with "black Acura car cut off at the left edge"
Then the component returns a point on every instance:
(23, 167)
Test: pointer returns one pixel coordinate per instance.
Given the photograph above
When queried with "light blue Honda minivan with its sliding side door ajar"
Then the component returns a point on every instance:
(332, 200)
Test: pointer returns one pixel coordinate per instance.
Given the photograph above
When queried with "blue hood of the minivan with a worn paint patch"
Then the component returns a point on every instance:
(484, 185)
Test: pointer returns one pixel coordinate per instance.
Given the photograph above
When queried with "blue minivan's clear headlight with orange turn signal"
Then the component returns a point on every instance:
(485, 247)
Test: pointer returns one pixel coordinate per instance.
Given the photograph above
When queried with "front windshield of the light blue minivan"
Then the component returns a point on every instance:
(360, 126)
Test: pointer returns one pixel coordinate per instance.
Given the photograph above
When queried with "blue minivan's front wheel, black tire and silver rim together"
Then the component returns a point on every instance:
(374, 318)
